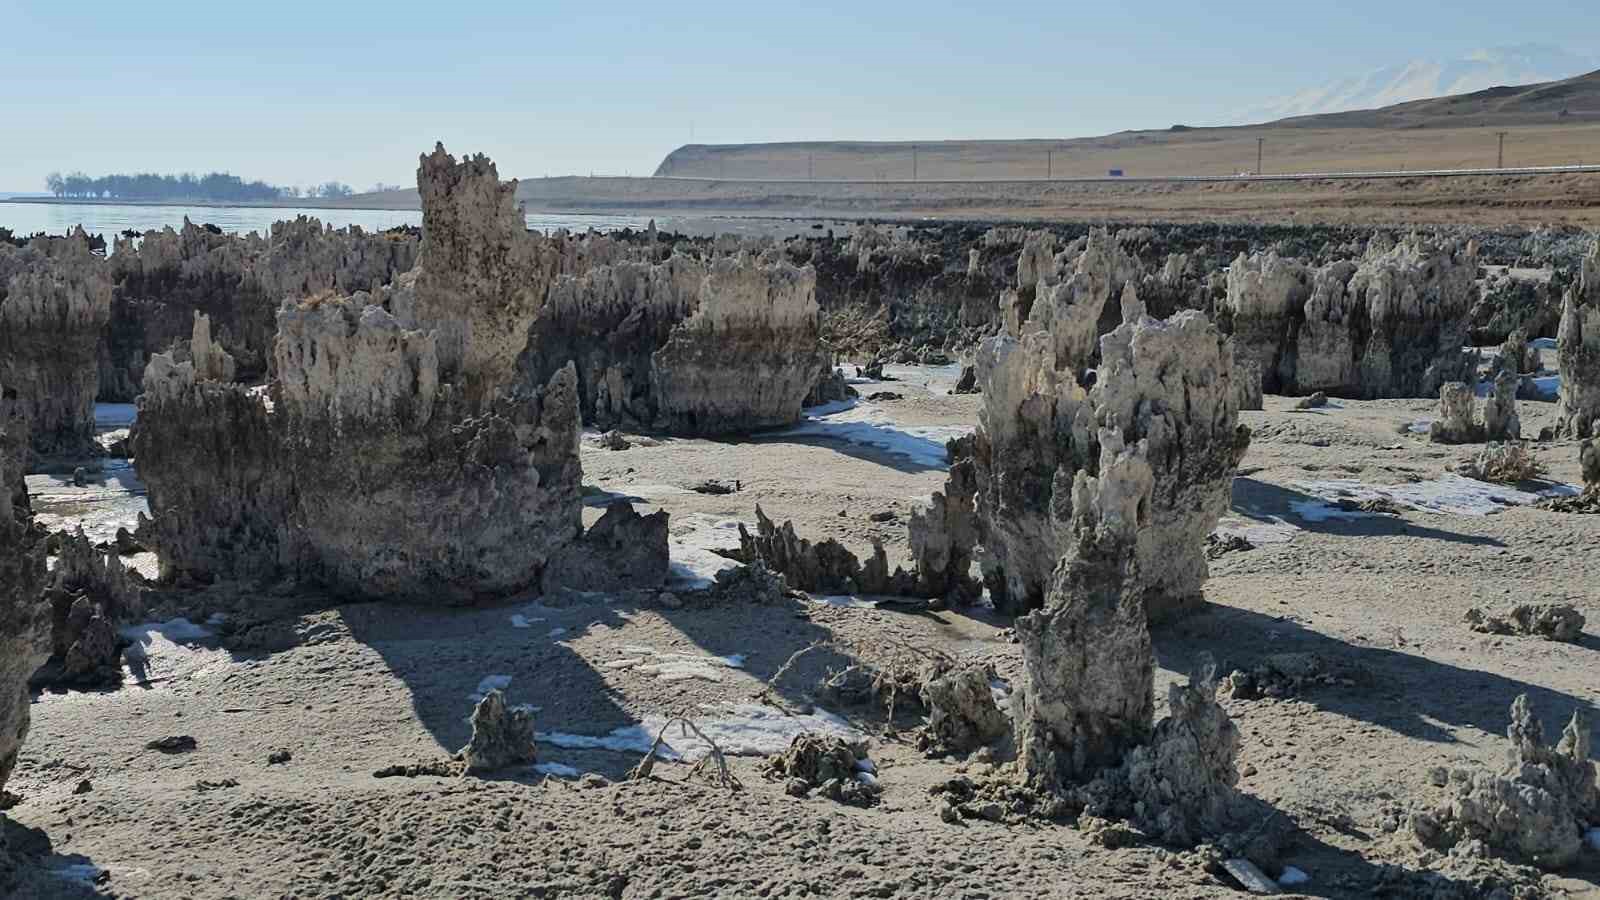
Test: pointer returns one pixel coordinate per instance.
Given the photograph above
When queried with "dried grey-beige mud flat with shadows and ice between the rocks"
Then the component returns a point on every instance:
(1374, 601)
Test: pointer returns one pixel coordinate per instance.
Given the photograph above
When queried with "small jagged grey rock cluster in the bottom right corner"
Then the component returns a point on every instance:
(1534, 808)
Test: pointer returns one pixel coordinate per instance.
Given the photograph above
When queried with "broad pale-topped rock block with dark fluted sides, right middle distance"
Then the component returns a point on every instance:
(1388, 326)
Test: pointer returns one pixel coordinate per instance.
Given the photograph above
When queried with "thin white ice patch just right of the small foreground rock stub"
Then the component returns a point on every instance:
(740, 729)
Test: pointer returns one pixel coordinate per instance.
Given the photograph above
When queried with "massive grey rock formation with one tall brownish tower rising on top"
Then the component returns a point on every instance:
(393, 456)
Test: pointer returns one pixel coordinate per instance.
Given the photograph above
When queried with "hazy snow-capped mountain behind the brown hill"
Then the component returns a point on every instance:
(1425, 79)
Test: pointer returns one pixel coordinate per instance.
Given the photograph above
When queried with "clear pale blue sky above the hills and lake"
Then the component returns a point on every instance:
(298, 94)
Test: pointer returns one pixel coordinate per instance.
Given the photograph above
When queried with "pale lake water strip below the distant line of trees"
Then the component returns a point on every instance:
(114, 219)
